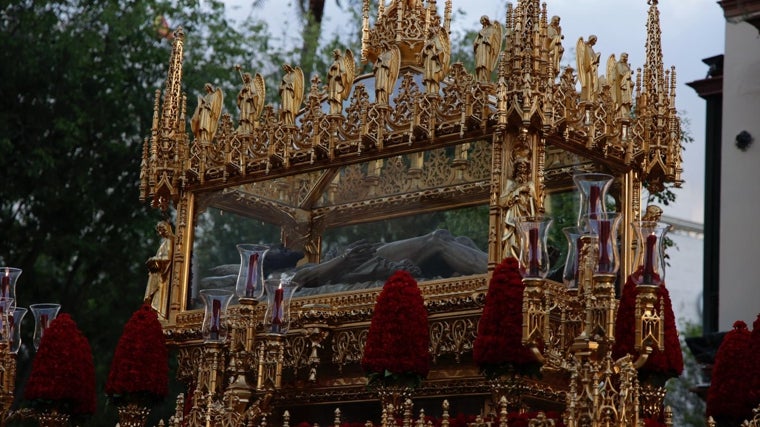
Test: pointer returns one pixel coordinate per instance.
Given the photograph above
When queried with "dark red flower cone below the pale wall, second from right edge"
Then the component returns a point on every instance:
(727, 399)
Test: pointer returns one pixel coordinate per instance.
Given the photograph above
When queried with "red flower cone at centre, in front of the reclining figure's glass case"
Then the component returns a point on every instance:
(397, 351)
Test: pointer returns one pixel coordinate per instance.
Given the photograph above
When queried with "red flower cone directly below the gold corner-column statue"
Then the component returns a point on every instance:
(498, 348)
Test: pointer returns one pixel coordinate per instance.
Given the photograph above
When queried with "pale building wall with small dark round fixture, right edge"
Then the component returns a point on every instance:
(740, 179)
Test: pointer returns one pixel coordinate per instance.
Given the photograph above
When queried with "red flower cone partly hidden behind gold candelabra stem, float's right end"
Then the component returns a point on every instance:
(661, 365)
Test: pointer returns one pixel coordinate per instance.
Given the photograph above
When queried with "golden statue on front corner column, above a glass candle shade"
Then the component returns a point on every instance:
(519, 200)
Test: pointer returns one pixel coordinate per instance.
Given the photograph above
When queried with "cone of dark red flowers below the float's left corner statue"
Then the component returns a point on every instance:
(140, 364)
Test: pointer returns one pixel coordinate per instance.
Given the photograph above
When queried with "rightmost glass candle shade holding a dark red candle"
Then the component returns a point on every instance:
(650, 260)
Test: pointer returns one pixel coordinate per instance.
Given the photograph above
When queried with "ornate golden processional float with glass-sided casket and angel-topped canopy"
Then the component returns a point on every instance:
(417, 135)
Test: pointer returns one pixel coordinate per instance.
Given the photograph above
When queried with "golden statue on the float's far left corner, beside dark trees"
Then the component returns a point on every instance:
(159, 269)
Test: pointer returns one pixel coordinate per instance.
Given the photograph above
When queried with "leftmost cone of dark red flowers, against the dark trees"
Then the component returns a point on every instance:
(63, 373)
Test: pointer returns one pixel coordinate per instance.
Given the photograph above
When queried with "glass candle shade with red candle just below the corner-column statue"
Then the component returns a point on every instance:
(534, 255)
